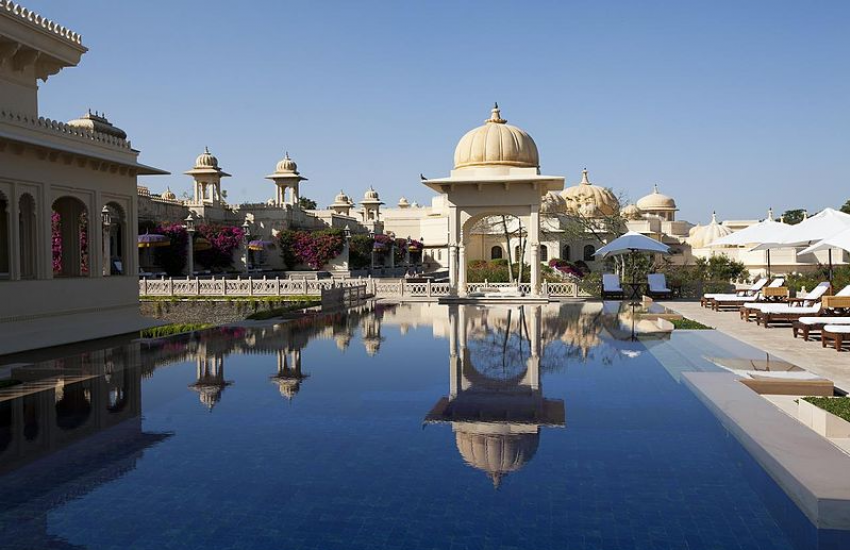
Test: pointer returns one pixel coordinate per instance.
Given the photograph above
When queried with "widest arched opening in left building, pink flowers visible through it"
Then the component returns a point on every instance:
(70, 238)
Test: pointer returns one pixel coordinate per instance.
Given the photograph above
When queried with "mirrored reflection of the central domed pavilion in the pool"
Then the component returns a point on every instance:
(496, 405)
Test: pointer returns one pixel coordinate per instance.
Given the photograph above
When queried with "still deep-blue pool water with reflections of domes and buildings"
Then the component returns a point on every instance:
(415, 426)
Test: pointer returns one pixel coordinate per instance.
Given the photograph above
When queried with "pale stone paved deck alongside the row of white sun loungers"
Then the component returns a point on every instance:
(778, 341)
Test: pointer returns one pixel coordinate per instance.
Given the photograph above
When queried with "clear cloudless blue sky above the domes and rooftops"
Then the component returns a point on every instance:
(733, 106)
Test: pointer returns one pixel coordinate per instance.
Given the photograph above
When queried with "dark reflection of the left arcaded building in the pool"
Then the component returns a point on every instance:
(87, 406)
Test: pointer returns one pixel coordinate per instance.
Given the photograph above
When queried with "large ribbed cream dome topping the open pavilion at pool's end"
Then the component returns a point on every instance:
(496, 144)
